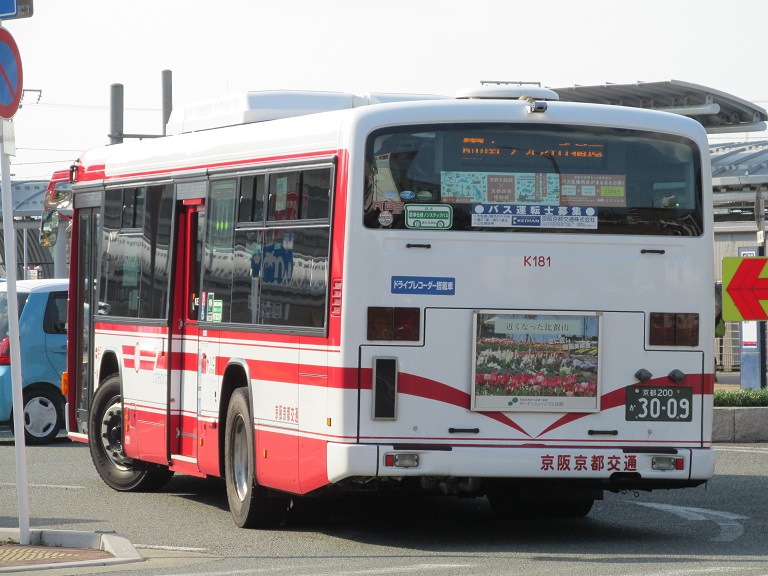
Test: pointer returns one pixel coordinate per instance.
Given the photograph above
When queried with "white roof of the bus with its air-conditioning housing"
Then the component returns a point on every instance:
(299, 129)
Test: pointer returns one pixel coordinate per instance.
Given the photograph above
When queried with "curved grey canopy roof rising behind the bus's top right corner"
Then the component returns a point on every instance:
(717, 111)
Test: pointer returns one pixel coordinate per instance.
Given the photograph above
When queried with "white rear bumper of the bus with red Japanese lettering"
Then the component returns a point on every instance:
(647, 466)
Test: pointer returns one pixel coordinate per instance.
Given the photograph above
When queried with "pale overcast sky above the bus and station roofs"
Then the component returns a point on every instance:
(73, 51)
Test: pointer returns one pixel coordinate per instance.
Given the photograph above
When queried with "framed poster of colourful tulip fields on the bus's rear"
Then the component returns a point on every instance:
(536, 362)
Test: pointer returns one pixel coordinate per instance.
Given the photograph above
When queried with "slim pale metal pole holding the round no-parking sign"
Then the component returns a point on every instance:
(9, 234)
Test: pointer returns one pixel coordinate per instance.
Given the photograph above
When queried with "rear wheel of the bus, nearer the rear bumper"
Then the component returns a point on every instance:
(249, 503)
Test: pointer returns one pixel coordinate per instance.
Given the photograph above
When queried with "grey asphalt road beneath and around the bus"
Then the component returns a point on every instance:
(186, 529)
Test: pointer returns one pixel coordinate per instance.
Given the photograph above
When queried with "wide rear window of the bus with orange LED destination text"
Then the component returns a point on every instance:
(523, 178)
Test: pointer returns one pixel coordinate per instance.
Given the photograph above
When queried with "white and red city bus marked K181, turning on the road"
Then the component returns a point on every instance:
(312, 293)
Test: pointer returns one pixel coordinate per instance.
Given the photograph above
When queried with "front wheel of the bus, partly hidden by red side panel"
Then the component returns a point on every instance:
(105, 429)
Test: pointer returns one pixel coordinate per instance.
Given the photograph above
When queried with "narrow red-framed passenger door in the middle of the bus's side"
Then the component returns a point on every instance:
(185, 360)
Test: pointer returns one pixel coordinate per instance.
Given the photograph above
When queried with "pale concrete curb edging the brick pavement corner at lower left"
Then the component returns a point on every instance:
(117, 545)
